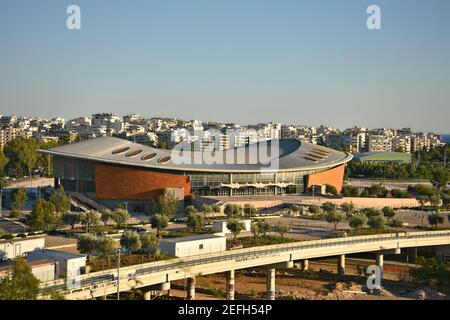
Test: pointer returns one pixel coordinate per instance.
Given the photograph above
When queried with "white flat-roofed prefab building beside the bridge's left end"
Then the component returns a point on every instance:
(68, 265)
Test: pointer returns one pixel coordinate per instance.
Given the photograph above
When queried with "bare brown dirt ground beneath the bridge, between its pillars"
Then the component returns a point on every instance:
(291, 286)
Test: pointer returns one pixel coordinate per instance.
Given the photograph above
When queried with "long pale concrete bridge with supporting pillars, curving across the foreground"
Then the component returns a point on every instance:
(158, 275)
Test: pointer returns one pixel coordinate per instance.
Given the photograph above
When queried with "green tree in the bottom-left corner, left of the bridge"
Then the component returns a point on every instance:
(21, 284)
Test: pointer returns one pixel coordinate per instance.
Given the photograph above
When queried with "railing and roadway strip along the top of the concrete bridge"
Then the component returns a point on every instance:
(177, 263)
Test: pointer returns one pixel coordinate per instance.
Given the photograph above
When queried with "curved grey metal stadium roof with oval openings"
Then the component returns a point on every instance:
(284, 155)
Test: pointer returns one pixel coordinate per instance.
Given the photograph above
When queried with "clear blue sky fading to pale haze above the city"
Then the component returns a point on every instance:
(247, 61)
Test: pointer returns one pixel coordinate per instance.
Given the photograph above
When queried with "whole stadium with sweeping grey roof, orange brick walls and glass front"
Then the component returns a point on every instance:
(112, 169)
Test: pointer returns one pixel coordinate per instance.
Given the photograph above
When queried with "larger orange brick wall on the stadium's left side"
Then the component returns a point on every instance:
(120, 183)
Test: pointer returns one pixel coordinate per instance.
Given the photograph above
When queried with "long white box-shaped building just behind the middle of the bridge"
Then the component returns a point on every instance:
(194, 245)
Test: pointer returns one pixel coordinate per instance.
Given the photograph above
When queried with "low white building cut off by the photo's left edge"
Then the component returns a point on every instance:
(11, 249)
